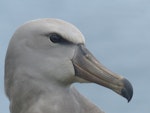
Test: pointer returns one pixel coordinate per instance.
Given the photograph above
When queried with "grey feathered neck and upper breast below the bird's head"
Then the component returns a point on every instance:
(49, 97)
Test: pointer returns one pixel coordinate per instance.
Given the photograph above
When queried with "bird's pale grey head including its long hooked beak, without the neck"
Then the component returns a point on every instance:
(53, 51)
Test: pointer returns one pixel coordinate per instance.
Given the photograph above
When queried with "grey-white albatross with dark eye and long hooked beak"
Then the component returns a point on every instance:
(44, 58)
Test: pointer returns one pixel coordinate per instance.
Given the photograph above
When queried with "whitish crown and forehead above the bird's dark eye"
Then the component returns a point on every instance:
(65, 29)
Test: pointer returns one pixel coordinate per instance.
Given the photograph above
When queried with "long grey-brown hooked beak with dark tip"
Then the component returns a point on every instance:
(89, 68)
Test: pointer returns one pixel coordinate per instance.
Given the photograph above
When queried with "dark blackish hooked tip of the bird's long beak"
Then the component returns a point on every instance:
(127, 91)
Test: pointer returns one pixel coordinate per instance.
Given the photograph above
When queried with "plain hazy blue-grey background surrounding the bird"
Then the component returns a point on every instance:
(117, 32)
